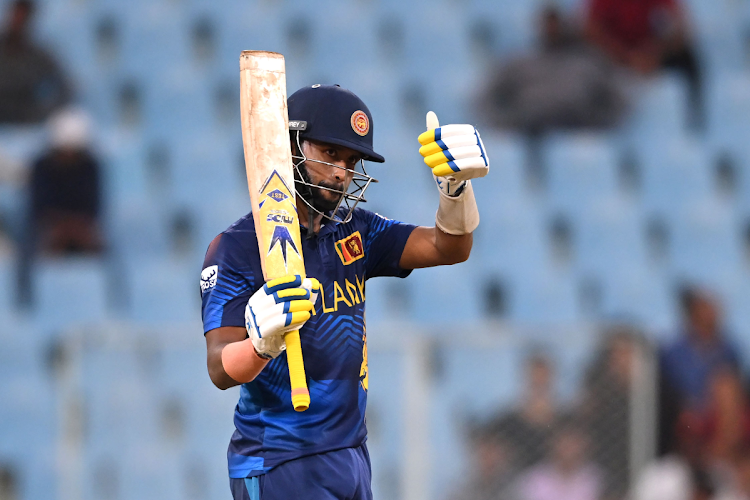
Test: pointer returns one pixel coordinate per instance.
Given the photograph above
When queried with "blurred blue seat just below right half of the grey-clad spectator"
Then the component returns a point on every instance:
(579, 169)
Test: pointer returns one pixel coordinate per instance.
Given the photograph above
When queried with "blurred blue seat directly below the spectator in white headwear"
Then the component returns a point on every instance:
(70, 291)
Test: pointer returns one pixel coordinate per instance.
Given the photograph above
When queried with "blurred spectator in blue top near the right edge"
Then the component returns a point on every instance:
(688, 364)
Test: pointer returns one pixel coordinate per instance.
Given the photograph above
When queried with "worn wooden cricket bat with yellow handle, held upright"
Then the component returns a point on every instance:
(270, 179)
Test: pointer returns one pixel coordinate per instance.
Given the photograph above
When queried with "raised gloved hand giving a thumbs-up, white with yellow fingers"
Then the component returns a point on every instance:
(455, 154)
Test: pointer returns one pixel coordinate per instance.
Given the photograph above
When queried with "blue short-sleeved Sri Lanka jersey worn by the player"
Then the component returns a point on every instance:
(342, 257)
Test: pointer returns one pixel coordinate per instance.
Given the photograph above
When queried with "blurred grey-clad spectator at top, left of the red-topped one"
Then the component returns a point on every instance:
(565, 84)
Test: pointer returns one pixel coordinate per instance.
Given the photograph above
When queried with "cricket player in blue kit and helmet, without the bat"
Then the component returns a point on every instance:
(277, 453)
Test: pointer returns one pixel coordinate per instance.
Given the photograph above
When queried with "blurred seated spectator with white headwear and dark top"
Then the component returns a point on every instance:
(65, 190)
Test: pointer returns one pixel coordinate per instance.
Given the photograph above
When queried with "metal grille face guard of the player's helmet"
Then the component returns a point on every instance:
(348, 198)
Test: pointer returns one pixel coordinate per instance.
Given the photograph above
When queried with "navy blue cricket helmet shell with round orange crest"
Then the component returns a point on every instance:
(331, 114)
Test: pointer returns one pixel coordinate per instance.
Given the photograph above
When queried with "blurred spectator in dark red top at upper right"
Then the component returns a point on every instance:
(645, 36)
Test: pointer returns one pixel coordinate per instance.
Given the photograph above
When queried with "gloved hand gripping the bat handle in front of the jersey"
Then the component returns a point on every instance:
(282, 305)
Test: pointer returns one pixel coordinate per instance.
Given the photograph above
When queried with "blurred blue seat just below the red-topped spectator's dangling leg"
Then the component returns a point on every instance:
(674, 173)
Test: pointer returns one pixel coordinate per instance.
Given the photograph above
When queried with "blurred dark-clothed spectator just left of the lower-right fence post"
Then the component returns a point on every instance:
(606, 409)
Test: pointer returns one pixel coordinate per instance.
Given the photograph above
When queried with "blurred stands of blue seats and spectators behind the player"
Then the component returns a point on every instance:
(593, 347)
